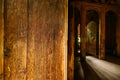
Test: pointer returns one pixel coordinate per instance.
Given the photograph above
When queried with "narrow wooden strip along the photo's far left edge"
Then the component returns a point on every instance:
(1, 38)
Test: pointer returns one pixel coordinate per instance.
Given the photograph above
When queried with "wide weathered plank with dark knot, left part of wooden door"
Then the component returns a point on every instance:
(15, 39)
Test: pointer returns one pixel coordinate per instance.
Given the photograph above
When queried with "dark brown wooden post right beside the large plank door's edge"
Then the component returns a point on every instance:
(71, 42)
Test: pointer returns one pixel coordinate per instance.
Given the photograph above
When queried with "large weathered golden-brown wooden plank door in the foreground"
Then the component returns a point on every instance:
(35, 39)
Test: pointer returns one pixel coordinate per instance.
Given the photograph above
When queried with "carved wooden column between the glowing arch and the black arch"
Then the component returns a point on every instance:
(102, 35)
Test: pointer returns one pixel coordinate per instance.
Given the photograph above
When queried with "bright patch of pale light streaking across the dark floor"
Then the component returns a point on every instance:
(105, 70)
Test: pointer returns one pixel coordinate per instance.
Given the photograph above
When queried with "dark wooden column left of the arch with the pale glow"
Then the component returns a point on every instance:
(83, 34)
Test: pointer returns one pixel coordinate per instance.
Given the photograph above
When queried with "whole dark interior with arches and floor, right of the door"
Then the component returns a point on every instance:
(93, 35)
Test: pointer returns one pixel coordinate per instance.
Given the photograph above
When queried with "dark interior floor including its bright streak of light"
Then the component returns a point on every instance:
(95, 69)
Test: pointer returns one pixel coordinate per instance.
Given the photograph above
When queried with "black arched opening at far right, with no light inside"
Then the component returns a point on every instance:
(110, 33)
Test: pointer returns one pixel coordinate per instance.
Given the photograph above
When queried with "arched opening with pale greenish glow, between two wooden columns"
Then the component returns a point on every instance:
(92, 36)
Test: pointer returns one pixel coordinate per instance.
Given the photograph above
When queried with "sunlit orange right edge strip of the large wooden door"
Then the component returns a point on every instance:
(65, 40)
